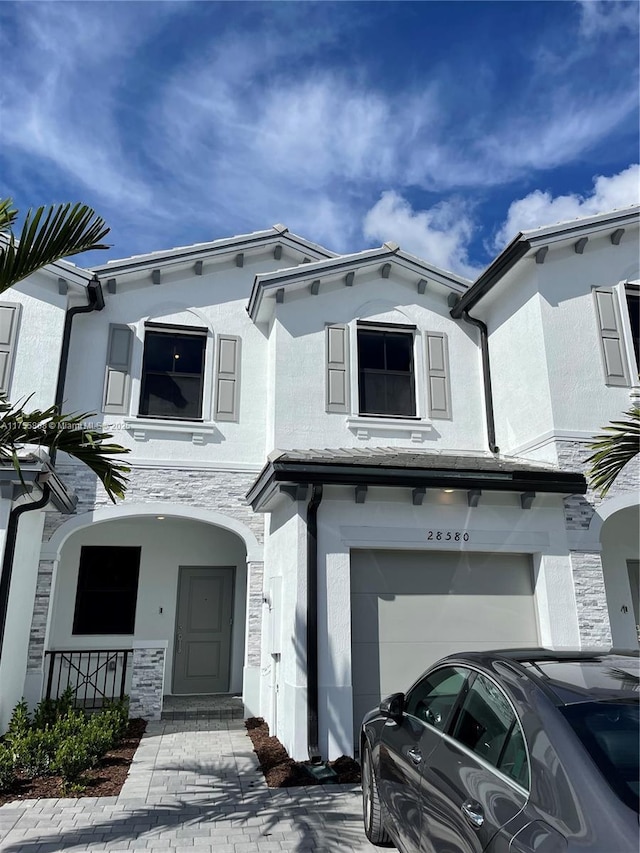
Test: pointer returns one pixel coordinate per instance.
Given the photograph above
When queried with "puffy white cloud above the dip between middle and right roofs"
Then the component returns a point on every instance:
(440, 235)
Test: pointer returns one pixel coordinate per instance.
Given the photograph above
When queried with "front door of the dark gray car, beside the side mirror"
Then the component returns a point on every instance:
(406, 745)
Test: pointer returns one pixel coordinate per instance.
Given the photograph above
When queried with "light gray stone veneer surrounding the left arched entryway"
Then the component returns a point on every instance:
(220, 491)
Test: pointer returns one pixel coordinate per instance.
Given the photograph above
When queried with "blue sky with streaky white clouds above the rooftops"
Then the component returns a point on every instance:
(445, 126)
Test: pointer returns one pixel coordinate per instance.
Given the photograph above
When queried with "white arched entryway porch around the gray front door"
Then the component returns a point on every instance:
(171, 589)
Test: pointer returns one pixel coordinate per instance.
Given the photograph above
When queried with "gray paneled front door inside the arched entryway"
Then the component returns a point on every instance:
(203, 630)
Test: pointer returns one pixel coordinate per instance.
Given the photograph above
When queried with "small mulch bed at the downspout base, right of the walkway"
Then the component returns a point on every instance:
(280, 771)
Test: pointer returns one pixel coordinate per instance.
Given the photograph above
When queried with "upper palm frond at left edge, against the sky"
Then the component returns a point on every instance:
(48, 234)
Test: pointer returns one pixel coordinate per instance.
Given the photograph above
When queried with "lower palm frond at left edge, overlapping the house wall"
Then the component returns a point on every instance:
(66, 433)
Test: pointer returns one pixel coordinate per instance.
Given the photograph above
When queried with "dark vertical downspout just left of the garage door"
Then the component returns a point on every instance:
(312, 624)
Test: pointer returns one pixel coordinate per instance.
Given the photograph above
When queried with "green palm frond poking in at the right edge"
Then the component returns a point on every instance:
(614, 450)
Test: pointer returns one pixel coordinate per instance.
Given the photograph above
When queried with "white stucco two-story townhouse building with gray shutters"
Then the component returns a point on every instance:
(343, 467)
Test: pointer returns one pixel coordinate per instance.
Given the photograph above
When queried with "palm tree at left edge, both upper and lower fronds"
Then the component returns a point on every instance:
(47, 235)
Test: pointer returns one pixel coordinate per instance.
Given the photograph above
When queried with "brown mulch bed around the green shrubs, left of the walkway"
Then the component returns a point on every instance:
(104, 780)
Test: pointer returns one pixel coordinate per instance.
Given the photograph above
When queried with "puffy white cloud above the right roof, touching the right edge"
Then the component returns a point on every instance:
(541, 208)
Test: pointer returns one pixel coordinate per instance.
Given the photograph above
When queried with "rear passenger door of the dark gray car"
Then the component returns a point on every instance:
(477, 779)
